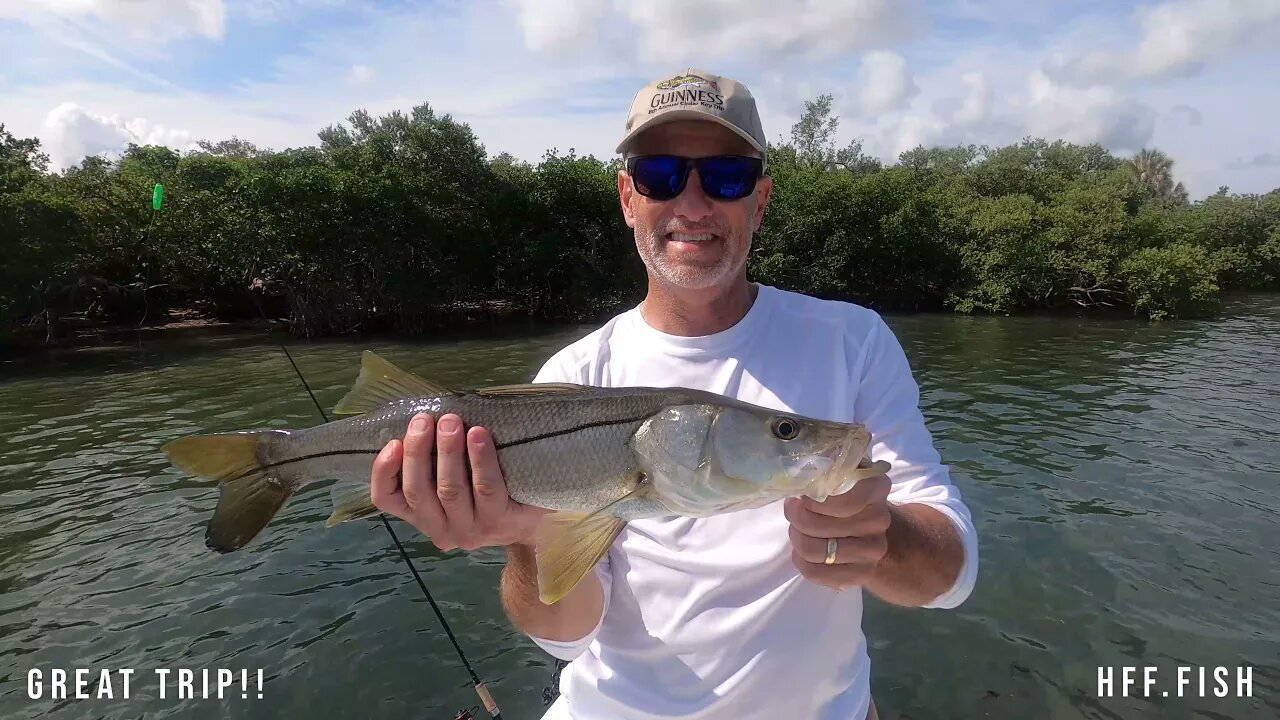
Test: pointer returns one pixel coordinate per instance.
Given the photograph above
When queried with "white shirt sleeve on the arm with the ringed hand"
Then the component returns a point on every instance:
(888, 404)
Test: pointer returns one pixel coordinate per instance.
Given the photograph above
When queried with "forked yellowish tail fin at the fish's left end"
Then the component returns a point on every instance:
(250, 493)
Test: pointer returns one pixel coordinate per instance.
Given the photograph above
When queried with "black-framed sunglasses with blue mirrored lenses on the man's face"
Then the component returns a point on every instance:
(724, 177)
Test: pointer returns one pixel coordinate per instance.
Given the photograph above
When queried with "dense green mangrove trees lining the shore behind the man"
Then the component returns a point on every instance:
(403, 222)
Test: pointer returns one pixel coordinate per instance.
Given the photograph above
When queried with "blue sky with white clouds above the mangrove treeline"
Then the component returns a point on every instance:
(1196, 79)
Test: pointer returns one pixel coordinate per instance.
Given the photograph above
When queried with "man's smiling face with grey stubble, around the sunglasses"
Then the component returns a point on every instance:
(692, 241)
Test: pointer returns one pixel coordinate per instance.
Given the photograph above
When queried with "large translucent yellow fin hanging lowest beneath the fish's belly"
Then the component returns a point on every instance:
(569, 548)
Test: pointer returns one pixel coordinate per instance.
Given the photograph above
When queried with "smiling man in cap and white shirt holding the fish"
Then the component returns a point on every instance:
(753, 614)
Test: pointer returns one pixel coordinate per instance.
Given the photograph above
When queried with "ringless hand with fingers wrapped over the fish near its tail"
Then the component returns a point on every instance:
(433, 494)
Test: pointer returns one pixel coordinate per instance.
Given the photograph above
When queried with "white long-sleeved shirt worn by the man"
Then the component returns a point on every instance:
(708, 618)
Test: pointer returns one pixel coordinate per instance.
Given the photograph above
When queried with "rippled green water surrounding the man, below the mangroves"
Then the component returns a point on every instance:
(1124, 479)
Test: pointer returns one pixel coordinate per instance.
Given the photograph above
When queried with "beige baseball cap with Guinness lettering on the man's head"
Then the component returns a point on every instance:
(697, 95)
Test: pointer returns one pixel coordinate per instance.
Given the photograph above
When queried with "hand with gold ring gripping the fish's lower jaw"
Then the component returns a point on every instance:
(857, 521)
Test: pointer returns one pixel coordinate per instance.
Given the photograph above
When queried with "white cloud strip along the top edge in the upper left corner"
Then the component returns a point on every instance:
(163, 20)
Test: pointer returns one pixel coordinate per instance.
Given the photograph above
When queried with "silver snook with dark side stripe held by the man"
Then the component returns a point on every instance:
(598, 457)
